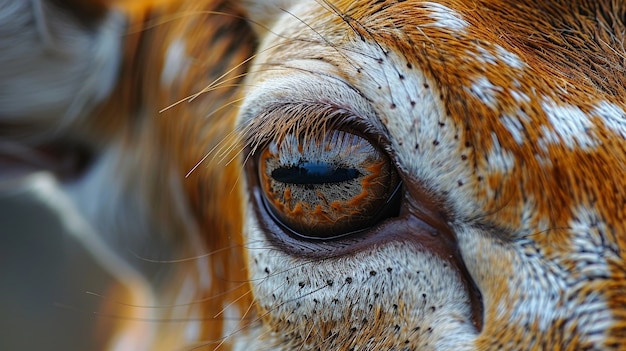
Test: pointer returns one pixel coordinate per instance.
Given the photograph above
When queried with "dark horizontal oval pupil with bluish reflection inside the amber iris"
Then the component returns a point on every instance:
(314, 173)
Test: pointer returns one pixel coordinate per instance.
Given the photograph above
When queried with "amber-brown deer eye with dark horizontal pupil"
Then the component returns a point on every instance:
(328, 187)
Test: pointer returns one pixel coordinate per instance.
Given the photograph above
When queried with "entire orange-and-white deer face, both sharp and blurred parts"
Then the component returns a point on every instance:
(342, 175)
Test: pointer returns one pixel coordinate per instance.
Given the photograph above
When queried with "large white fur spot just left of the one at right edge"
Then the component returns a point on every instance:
(569, 126)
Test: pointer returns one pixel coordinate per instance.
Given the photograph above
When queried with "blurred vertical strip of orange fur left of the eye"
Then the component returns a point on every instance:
(182, 135)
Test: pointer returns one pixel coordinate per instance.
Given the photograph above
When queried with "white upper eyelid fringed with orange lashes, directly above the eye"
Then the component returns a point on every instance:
(301, 98)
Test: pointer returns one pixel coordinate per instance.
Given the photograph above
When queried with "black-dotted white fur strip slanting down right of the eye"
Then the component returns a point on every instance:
(411, 124)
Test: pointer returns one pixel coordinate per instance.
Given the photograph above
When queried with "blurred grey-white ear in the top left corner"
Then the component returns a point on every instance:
(59, 59)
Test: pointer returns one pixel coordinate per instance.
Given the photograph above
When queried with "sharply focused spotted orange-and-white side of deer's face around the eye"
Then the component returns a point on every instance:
(430, 175)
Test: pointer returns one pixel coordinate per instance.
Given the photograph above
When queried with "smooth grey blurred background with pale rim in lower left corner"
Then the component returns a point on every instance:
(47, 270)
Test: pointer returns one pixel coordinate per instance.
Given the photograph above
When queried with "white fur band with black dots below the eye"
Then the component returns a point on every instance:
(295, 285)
